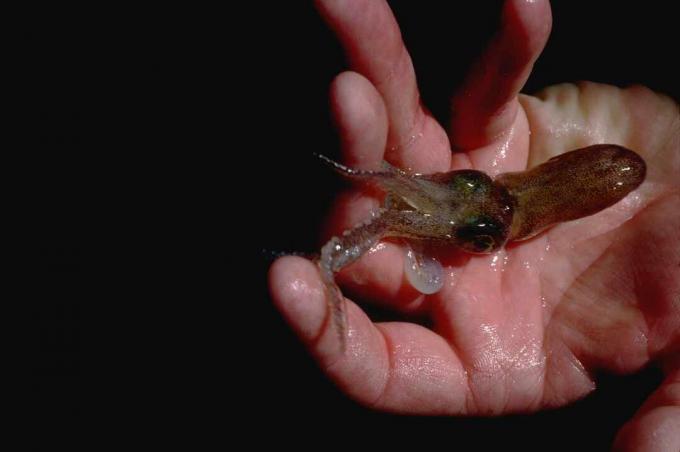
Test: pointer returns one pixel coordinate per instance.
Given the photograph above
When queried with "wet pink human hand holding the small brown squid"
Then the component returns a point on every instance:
(524, 328)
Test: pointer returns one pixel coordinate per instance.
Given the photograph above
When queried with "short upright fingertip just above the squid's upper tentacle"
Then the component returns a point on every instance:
(361, 119)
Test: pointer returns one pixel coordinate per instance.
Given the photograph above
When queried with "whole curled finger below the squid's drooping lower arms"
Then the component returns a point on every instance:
(394, 366)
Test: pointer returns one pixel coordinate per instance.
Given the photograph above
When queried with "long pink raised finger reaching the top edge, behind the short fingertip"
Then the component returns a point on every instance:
(372, 41)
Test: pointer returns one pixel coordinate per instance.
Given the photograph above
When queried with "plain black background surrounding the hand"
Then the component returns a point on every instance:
(165, 149)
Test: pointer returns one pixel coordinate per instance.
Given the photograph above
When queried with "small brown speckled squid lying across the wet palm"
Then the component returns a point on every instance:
(475, 213)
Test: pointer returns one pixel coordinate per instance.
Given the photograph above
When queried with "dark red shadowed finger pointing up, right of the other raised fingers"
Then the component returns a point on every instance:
(486, 105)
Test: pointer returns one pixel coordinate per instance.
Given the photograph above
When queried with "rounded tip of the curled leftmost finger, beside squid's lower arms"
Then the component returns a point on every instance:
(298, 293)
